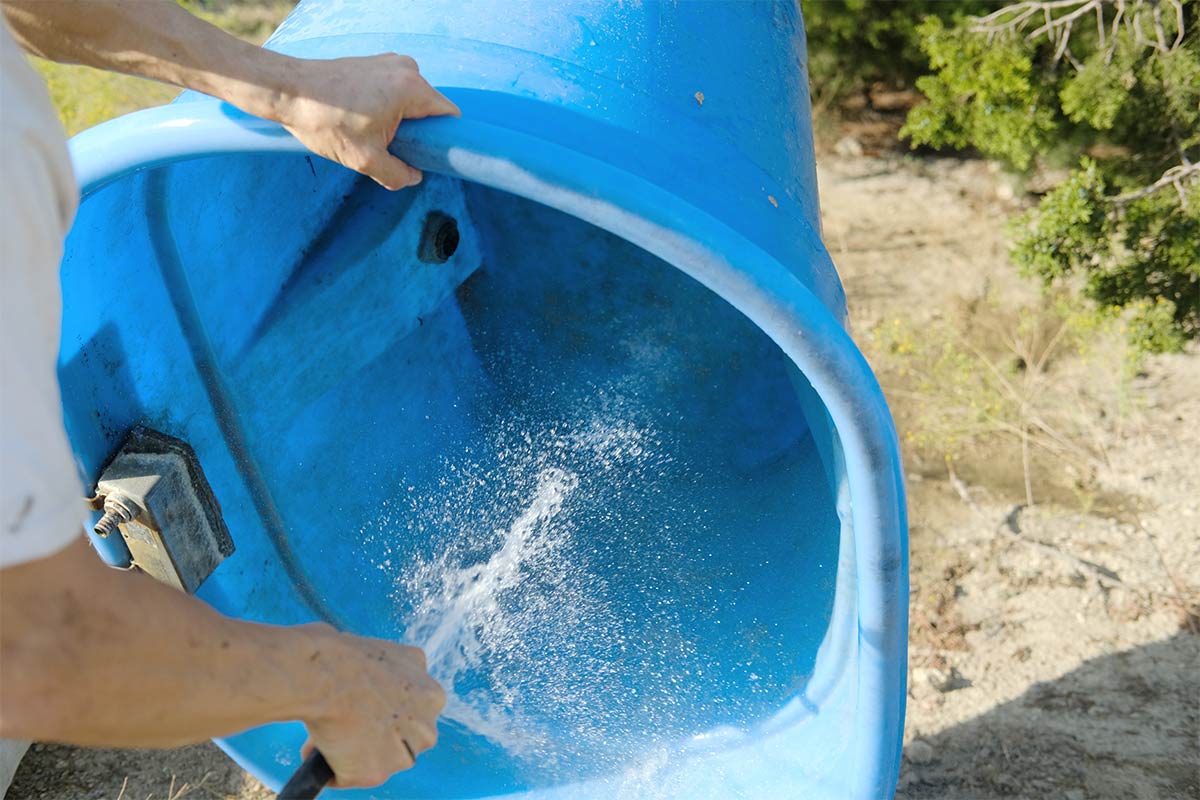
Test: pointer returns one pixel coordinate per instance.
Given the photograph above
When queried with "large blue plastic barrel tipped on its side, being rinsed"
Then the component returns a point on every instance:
(580, 414)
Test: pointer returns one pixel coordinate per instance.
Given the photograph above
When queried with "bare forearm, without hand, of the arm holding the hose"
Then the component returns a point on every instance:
(94, 657)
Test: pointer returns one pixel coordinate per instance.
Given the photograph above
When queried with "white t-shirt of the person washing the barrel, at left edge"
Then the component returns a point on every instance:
(41, 501)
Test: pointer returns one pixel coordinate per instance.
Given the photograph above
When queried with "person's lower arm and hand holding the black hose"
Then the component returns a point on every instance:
(98, 658)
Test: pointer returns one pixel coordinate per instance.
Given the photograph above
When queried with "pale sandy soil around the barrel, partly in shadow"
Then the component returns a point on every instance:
(1051, 647)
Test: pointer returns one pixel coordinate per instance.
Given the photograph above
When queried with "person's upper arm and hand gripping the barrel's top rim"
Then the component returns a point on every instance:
(344, 110)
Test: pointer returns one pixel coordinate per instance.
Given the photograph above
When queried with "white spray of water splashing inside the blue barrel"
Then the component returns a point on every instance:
(515, 606)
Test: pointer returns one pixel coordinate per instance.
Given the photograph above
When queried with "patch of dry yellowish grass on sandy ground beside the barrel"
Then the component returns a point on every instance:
(1013, 399)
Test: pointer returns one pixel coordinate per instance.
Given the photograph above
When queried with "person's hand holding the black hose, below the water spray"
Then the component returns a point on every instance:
(379, 711)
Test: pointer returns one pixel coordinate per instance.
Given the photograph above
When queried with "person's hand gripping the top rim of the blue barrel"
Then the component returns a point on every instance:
(349, 111)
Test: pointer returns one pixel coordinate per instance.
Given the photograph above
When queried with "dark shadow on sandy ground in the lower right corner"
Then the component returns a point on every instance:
(1097, 732)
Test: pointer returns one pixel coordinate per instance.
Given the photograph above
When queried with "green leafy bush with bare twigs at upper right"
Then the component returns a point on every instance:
(1113, 87)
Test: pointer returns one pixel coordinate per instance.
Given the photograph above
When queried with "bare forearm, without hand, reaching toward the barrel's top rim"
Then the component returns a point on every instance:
(158, 40)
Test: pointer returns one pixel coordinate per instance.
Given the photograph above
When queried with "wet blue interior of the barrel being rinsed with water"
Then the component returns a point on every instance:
(452, 417)
